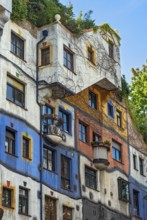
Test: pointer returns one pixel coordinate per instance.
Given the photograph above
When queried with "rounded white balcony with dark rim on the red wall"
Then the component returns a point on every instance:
(100, 154)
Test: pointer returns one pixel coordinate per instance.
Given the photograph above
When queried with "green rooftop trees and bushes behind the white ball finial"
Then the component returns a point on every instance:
(42, 12)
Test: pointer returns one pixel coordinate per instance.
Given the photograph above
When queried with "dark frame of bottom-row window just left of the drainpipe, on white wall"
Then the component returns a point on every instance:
(21, 200)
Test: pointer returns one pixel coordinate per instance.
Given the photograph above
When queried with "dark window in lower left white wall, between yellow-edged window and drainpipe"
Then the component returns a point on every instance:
(23, 201)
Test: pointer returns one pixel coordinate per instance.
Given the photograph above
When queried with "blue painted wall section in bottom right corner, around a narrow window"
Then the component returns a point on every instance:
(142, 202)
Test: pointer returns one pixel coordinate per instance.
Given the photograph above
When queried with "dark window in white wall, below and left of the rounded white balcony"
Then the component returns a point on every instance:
(90, 178)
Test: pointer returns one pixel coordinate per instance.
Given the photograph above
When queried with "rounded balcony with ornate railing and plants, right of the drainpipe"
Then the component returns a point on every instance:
(52, 130)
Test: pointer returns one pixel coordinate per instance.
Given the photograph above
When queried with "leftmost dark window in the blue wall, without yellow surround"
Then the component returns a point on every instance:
(8, 139)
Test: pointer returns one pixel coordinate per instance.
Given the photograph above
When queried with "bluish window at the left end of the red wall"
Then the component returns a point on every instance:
(83, 134)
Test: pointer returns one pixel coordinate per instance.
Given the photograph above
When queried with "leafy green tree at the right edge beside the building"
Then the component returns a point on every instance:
(138, 99)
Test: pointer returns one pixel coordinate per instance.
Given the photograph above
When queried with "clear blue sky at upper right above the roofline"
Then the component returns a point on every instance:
(129, 17)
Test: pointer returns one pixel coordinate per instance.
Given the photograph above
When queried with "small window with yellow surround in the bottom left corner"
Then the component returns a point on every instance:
(7, 197)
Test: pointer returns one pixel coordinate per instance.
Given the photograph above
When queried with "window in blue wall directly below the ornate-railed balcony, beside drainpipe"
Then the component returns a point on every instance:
(49, 161)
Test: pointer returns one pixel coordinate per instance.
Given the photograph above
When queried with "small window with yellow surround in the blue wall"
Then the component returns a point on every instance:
(26, 147)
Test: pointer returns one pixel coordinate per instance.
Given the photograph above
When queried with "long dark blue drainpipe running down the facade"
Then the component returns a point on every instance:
(45, 34)
